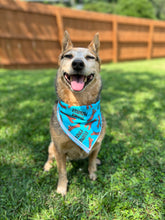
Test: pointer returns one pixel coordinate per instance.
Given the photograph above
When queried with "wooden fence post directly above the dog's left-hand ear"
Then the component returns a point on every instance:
(59, 25)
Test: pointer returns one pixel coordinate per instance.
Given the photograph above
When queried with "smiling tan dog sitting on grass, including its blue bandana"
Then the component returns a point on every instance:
(78, 86)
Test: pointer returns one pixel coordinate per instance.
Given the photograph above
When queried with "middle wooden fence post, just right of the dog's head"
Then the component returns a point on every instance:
(115, 40)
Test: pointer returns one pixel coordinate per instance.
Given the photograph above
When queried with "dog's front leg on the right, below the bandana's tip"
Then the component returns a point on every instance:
(93, 161)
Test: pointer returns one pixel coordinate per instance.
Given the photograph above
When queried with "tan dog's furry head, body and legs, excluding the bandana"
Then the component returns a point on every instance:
(78, 83)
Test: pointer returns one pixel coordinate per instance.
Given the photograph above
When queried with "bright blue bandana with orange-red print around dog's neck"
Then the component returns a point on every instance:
(81, 123)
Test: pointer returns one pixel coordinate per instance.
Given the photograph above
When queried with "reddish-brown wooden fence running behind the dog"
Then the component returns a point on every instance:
(31, 34)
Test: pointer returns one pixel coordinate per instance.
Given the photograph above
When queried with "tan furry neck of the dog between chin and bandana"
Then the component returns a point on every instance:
(89, 96)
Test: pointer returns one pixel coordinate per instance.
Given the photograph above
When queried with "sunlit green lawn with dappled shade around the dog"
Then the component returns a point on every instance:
(131, 179)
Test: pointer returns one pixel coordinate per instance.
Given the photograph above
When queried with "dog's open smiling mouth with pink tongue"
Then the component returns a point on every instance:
(78, 82)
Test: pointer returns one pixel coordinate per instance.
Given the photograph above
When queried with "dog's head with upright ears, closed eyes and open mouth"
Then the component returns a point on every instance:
(79, 67)
